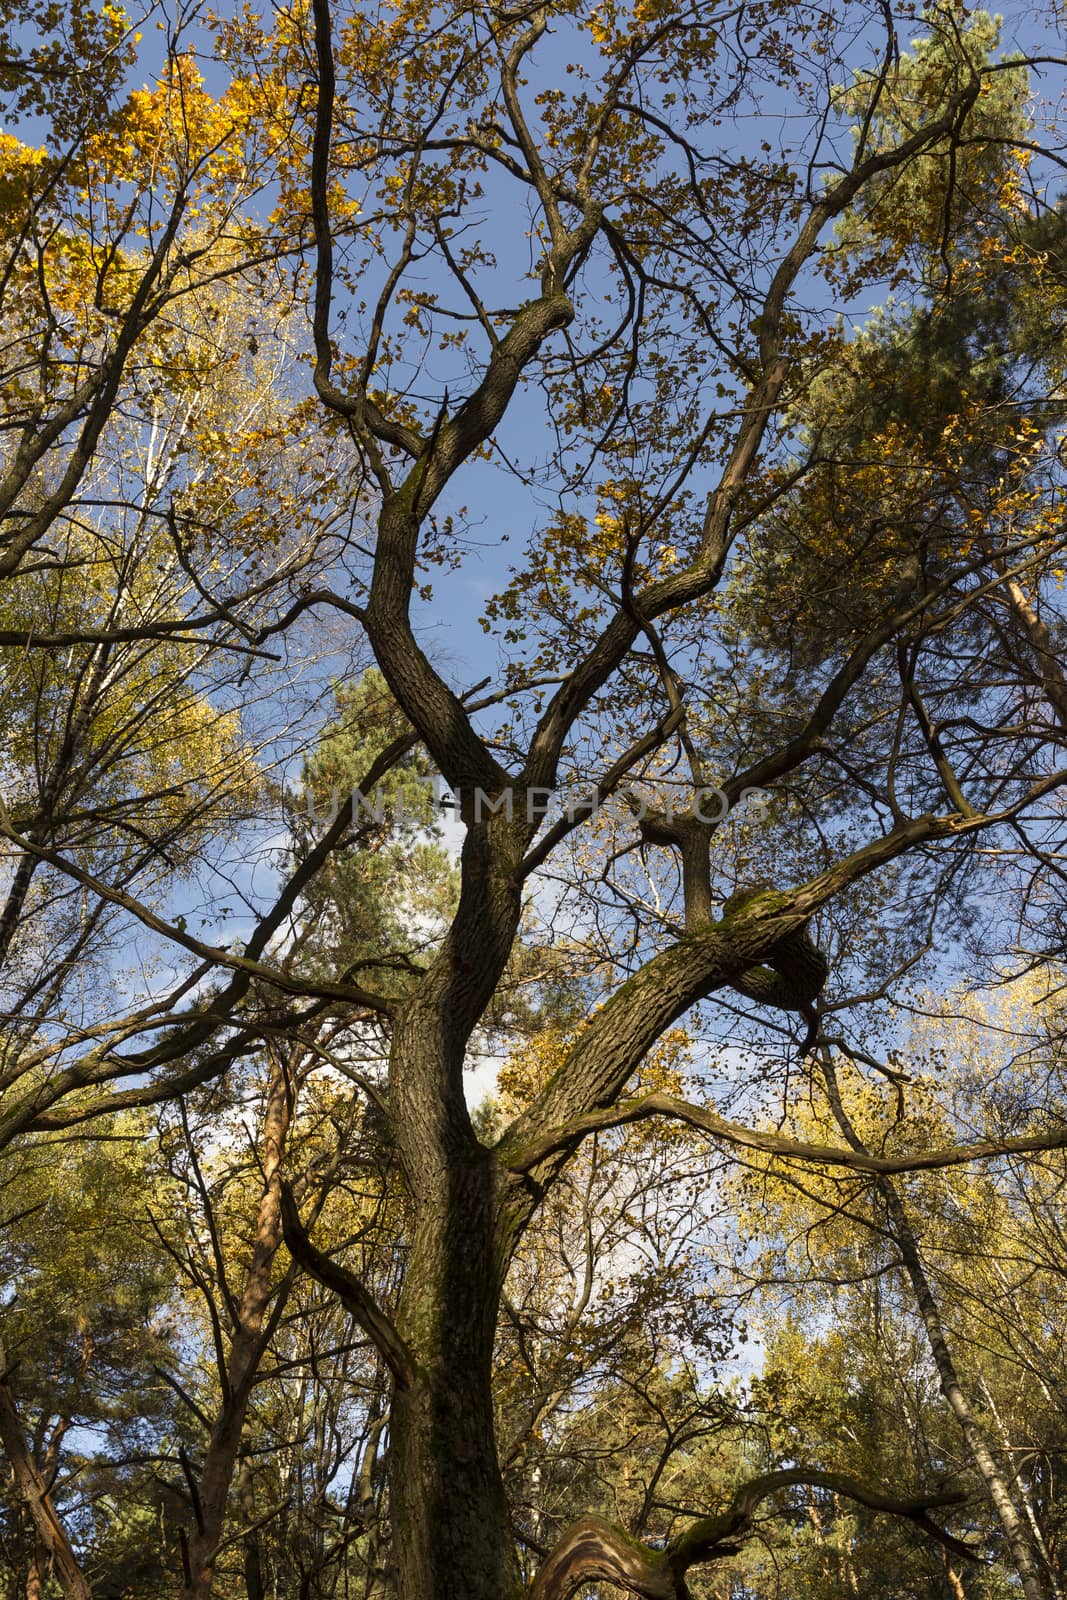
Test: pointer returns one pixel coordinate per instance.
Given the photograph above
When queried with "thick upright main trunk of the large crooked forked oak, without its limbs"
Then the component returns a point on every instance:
(450, 1516)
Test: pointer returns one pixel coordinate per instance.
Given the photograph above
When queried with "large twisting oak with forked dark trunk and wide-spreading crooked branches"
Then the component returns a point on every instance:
(732, 585)
